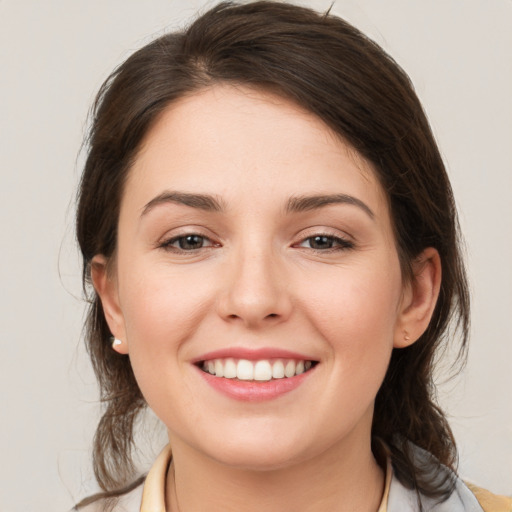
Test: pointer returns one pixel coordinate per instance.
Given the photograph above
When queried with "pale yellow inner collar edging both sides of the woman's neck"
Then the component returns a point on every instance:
(153, 496)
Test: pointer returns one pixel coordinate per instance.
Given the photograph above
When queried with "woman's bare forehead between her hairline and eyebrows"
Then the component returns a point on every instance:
(225, 138)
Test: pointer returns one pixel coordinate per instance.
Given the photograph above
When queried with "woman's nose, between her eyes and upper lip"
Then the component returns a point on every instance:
(256, 290)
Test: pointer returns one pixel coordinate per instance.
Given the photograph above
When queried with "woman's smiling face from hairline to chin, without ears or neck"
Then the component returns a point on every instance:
(253, 243)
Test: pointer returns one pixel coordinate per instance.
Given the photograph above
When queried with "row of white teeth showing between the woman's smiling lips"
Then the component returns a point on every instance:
(262, 370)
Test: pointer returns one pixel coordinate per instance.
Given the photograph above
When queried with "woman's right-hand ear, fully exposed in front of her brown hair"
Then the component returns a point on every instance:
(419, 298)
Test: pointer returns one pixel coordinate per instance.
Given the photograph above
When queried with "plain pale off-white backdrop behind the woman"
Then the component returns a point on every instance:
(54, 54)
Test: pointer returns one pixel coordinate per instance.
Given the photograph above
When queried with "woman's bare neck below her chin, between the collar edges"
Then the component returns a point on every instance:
(344, 477)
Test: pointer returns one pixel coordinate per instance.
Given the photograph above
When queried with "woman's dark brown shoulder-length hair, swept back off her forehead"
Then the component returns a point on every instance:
(331, 69)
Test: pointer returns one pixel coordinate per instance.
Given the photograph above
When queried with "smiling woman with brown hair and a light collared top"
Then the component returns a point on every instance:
(272, 240)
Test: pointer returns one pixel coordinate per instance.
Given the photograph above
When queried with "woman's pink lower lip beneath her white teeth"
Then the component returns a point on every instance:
(254, 391)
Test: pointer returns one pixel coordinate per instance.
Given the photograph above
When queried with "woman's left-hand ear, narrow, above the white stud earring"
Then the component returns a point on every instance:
(105, 285)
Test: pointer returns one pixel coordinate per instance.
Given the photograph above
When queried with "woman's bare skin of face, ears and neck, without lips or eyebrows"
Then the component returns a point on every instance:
(260, 281)
